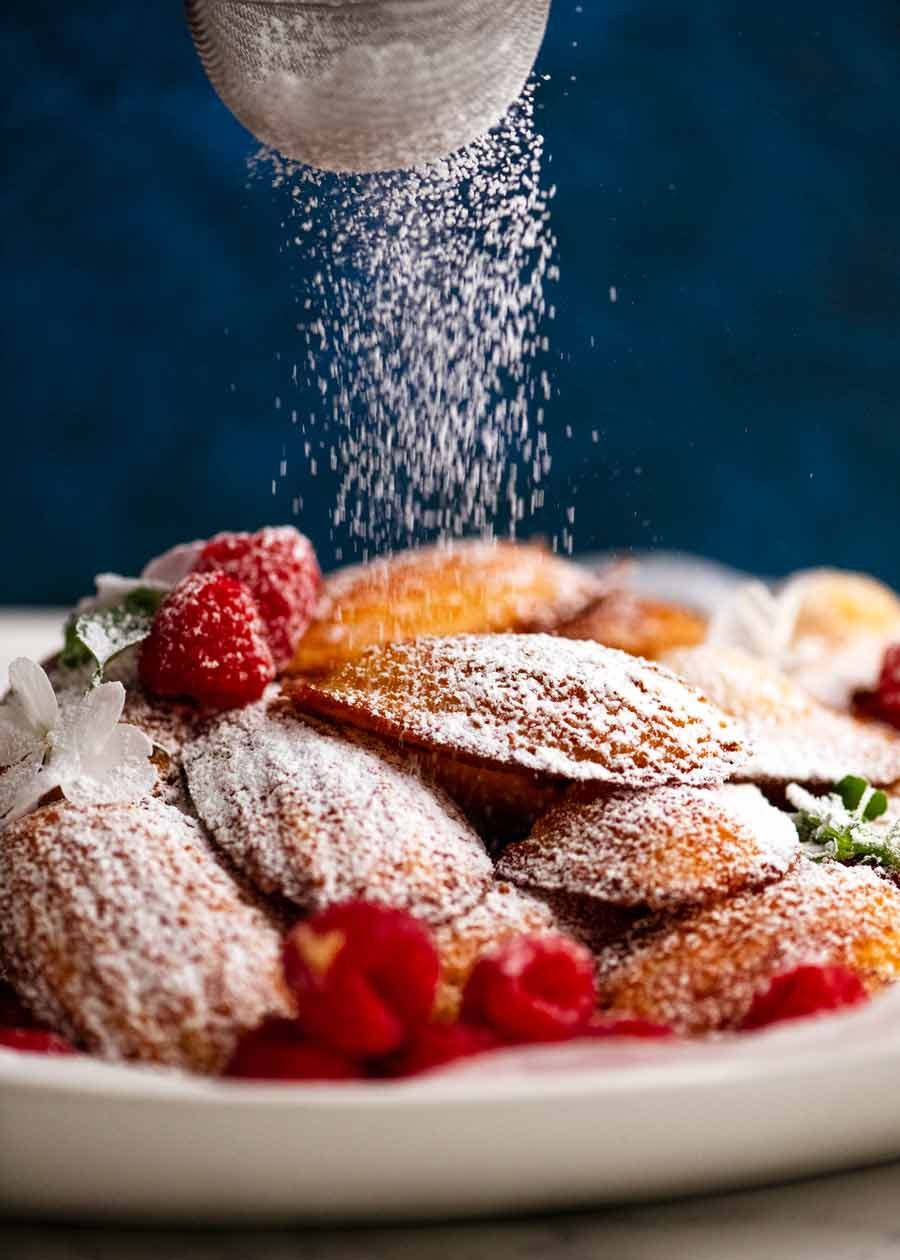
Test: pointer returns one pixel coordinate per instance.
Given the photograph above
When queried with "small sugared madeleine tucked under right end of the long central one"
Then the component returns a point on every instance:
(661, 851)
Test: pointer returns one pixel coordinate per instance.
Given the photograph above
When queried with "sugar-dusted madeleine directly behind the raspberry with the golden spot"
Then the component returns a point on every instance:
(320, 817)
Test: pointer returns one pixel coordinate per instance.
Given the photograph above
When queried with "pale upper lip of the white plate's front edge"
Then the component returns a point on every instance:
(747, 1059)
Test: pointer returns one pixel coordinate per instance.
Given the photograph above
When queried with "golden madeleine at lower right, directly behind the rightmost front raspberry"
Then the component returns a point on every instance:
(701, 972)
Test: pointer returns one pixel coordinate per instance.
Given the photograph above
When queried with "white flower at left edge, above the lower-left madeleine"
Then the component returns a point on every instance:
(75, 744)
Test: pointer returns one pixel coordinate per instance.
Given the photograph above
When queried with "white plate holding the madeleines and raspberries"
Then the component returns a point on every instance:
(555, 1128)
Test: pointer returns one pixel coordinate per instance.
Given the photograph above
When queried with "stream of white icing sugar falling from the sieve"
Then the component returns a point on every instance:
(423, 337)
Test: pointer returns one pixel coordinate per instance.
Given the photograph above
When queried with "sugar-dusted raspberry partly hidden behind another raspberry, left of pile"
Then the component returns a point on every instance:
(280, 570)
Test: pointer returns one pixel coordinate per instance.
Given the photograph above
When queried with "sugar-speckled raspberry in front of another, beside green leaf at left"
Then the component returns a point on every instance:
(207, 642)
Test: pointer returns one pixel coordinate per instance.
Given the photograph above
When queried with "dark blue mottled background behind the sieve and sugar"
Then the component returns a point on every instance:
(733, 169)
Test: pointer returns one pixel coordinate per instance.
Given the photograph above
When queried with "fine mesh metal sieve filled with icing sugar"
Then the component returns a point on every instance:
(367, 85)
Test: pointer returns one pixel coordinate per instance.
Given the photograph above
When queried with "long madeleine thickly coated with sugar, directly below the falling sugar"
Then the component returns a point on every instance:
(559, 707)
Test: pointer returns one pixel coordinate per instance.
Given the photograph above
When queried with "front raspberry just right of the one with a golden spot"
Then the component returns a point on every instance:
(534, 988)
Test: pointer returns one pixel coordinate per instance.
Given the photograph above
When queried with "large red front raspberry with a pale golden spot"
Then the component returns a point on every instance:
(365, 978)
